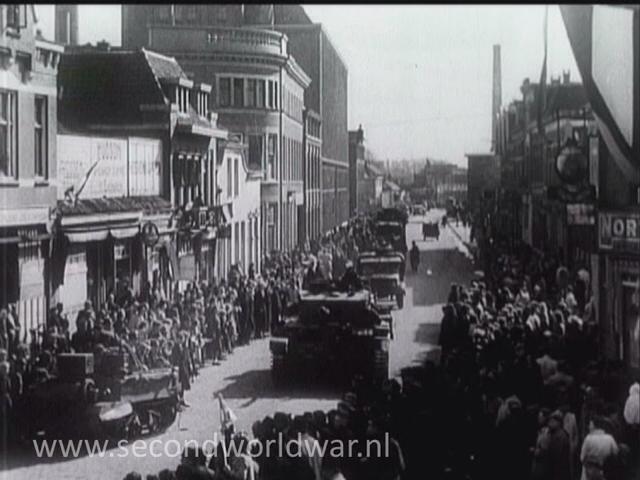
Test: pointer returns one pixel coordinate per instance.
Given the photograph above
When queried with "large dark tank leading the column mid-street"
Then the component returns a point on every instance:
(331, 336)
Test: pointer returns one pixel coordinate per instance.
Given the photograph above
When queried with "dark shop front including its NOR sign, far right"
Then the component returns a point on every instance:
(619, 245)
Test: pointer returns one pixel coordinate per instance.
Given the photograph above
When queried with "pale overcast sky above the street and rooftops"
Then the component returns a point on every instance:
(419, 76)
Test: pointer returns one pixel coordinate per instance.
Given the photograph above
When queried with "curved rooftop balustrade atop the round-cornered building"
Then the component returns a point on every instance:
(186, 39)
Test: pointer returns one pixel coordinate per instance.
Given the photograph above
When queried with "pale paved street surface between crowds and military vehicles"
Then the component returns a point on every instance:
(244, 378)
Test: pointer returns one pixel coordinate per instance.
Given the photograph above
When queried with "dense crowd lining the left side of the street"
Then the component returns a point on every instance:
(202, 323)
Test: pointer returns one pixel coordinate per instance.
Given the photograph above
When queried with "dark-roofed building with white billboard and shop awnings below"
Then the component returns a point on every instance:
(137, 207)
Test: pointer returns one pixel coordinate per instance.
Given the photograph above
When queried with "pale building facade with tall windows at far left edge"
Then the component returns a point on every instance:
(28, 162)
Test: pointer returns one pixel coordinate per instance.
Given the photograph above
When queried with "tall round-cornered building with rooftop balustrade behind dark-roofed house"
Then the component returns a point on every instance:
(259, 95)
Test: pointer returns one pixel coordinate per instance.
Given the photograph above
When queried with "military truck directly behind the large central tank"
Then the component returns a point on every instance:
(383, 272)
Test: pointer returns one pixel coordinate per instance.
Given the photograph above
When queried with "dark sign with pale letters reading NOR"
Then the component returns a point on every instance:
(619, 230)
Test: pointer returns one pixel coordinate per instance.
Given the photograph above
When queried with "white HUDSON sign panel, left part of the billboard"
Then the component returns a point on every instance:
(77, 154)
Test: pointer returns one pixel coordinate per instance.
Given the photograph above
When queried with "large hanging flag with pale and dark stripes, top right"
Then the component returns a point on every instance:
(605, 43)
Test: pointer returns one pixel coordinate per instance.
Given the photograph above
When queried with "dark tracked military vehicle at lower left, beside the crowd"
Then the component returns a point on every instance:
(103, 395)
